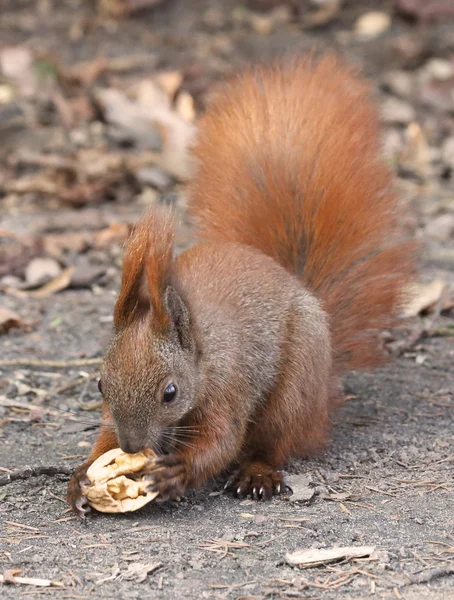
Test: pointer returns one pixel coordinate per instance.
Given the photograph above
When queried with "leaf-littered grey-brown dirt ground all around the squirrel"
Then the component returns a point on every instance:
(386, 480)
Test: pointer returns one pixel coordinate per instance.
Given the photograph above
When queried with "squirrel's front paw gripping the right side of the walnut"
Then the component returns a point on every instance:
(169, 478)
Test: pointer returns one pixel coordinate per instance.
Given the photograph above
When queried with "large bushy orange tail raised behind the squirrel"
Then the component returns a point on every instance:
(289, 162)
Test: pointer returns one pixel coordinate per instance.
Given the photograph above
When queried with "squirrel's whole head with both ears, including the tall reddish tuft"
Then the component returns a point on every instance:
(149, 376)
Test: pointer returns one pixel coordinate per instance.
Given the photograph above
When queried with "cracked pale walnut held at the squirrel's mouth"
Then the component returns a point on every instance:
(117, 483)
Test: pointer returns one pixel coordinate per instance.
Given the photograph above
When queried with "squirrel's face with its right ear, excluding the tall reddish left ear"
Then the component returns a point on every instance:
(149, 378)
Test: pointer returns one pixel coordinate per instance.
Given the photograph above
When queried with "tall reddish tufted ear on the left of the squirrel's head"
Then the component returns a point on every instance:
(146, 269)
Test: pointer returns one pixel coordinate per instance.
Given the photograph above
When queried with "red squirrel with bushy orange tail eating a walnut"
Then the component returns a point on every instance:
(228, 358)
